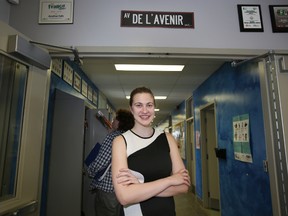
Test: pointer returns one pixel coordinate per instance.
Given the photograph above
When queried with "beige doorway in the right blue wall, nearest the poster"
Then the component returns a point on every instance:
(210, 167)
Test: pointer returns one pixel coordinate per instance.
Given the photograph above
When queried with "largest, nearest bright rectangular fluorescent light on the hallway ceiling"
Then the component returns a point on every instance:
(145, 67)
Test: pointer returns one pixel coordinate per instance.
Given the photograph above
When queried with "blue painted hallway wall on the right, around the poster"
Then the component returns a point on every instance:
(244, 187)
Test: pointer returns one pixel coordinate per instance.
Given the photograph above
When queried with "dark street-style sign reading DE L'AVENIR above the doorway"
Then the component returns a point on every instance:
(157, 19)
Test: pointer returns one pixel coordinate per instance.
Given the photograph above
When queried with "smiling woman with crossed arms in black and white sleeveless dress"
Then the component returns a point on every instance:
(153, 157)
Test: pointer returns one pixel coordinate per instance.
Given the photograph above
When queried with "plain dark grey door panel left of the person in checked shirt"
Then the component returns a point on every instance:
(64, 181)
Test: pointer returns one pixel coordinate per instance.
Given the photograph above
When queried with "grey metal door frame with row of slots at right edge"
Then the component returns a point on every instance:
(270, 68)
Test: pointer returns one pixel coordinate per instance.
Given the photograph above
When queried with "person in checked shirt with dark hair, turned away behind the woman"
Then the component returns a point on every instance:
(106, 203)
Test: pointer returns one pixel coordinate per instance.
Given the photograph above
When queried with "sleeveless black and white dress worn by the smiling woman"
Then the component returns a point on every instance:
(150, 158)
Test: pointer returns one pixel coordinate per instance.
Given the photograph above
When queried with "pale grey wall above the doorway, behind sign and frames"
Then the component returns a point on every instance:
(96, 27)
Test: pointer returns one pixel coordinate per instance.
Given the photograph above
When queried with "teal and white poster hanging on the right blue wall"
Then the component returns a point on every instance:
(241, 139)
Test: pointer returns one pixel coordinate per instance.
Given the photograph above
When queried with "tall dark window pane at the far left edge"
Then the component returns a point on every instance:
(13, 78)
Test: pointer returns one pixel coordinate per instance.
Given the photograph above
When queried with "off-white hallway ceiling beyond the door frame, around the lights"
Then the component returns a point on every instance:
(177, 86)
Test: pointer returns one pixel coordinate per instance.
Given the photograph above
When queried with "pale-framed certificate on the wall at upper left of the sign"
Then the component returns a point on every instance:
(56, 11)
